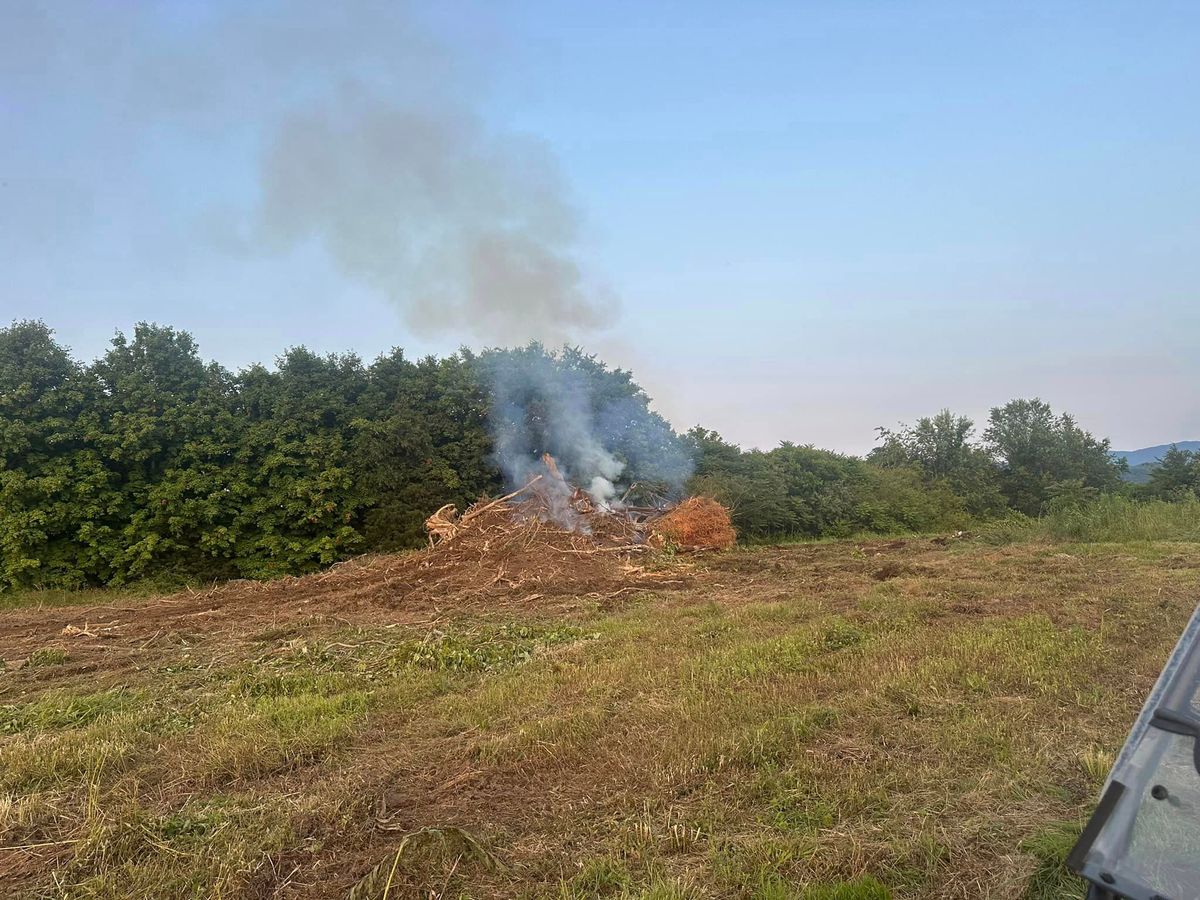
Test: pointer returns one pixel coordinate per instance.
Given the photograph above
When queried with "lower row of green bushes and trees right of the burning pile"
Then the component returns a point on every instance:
(933, 476)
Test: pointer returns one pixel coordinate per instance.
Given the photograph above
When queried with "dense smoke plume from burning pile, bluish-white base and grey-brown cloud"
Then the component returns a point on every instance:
(470, 231)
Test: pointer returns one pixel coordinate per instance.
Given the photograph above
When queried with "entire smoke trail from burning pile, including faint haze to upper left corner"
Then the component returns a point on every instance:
(351, 130)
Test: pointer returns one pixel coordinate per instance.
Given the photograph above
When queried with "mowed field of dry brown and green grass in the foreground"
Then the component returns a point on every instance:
(849, 721)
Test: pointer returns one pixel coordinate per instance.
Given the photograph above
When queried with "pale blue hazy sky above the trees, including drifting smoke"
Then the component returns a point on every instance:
(794, 221)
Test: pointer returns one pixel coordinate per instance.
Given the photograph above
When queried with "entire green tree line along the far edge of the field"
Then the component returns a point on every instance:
(152, 461)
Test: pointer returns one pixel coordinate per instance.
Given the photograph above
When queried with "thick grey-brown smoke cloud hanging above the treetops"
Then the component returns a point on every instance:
(465, 230)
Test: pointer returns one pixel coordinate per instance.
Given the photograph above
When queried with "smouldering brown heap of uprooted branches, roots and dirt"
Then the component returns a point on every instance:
(547, 543)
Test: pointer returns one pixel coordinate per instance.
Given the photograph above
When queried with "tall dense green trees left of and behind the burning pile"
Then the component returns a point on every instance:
(152, 463)
